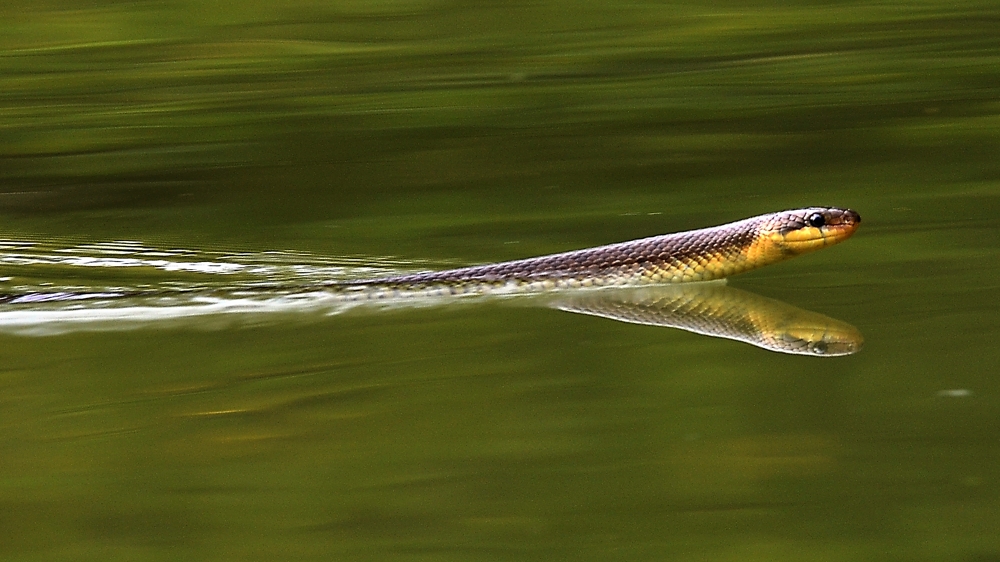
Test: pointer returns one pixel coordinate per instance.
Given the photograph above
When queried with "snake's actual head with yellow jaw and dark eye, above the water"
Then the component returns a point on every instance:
(805, 230)
